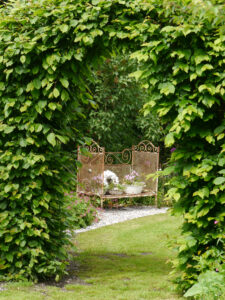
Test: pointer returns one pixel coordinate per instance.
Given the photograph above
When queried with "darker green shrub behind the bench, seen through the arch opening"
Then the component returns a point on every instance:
(117, 122)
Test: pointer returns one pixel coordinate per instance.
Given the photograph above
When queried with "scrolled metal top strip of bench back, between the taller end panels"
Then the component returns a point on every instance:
(124, 157)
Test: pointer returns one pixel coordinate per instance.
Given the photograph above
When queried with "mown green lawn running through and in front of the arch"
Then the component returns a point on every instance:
(126, 261)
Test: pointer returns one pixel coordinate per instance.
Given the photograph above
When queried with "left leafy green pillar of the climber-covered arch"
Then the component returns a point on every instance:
(41, 103)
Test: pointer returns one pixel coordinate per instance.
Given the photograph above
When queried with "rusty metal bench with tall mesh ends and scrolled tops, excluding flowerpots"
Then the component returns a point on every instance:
(143, 158)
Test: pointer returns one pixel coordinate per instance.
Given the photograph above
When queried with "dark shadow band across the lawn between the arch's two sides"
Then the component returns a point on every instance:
(105, 264)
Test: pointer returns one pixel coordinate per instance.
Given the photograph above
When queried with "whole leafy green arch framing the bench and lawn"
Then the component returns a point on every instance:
(46, 50)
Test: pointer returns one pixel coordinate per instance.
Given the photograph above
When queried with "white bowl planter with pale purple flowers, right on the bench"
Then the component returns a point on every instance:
(133, 184)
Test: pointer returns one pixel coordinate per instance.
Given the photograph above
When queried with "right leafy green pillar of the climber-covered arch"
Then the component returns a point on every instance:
(188, 92)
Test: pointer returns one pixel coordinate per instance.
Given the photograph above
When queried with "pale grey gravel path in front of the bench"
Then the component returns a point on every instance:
(112, 216)
